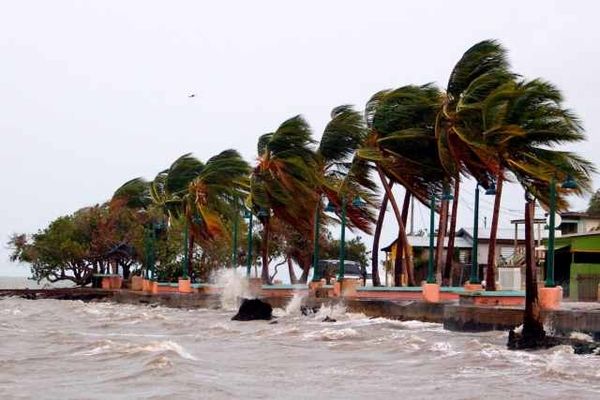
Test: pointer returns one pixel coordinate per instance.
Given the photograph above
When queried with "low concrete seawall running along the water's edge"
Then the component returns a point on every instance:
(452, 315)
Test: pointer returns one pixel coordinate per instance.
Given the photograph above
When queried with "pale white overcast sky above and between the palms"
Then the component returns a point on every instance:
(93, 93)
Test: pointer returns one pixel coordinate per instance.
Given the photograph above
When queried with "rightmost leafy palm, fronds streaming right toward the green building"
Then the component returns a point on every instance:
(523, 121)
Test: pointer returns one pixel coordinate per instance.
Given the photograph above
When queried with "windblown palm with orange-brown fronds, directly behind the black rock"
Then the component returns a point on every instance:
(283, 182)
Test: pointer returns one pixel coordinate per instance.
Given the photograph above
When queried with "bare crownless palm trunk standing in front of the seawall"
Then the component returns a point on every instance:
(533, 327)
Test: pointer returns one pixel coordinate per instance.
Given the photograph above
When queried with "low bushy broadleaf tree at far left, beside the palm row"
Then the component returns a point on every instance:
(73, 247)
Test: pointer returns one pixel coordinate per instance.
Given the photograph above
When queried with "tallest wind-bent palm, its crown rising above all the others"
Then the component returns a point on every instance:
(462, 149)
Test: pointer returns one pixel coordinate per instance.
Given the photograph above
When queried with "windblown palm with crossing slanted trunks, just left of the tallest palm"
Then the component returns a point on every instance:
(401, 144)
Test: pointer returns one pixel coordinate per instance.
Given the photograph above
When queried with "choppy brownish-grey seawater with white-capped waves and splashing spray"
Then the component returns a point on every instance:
(68, 349)
